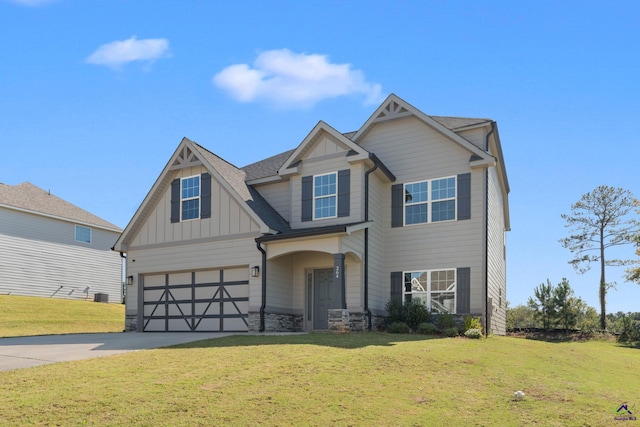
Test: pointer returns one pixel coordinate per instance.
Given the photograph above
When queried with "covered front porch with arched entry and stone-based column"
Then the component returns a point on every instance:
(312, 282)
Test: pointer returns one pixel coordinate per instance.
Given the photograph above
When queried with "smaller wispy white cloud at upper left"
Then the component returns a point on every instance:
(116, 53)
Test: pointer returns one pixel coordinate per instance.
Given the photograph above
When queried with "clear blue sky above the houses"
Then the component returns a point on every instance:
(96, 95)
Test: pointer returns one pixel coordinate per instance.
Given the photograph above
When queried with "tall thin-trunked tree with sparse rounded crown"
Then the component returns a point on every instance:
(598, 221)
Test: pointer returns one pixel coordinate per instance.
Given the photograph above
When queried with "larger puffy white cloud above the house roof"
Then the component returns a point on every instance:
(290, 79)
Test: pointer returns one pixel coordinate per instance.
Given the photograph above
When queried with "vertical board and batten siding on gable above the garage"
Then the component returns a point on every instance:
(228, 218)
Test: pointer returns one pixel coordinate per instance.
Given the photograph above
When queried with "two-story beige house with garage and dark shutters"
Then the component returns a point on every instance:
(410, 206)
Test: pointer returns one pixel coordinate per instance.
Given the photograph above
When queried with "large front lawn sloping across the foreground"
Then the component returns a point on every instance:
(333, 379)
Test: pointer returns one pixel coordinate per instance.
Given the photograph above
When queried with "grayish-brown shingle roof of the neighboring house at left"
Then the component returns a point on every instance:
(30, 198)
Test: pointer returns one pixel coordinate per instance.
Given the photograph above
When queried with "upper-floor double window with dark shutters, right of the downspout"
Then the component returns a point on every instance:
(430, 201)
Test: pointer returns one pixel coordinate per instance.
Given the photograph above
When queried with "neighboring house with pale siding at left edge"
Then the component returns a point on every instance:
(51, 248)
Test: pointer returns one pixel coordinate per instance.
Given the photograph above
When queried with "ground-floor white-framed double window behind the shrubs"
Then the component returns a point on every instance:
(436, 289)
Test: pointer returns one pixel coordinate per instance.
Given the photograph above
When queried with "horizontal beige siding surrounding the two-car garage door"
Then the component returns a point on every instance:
(193, 257)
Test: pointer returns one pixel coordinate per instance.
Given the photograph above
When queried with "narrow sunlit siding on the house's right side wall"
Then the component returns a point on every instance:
(496, 270)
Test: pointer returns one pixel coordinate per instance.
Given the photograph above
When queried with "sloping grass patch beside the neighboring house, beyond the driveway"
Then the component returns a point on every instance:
(22, 316)
